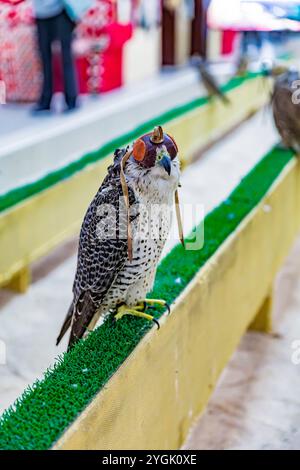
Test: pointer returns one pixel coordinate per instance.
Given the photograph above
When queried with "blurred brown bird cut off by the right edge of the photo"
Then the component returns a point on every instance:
(286, 106)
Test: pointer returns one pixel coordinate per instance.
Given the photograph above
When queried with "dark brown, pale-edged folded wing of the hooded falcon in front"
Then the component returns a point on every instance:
(102, 253)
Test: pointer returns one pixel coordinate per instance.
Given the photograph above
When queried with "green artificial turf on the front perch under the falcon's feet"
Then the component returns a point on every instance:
(43, 412)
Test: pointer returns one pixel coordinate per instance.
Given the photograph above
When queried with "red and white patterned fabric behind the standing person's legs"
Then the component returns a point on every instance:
(98, 49)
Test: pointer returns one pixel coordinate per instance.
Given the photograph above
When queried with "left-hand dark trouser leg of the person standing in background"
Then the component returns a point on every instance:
(45, 40)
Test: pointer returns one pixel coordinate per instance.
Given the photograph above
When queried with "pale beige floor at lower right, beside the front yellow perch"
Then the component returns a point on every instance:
(257, 404)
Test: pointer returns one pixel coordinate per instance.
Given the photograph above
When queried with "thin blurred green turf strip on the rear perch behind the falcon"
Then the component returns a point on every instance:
(21, 193)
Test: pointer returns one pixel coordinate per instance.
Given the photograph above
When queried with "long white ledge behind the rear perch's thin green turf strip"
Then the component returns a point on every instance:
(50, 143)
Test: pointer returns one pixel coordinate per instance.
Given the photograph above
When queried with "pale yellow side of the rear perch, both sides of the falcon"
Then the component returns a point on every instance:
(32, 228)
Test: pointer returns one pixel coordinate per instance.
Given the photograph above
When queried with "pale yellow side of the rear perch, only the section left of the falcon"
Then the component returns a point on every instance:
(40, 223)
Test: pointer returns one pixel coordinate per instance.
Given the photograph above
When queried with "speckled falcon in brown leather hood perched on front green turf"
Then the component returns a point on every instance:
(123, 235)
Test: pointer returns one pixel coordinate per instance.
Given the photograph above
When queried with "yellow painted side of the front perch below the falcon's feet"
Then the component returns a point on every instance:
(152, 400)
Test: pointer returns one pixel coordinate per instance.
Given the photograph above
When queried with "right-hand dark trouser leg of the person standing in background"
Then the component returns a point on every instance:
(65, 29)
